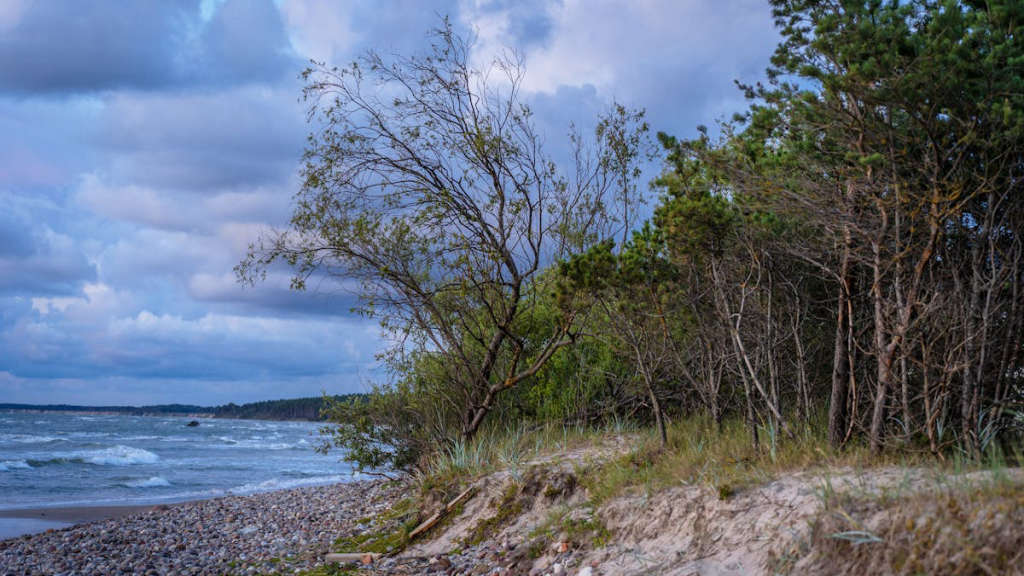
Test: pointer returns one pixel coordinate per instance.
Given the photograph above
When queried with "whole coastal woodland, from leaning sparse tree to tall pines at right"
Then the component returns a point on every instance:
(843, 258)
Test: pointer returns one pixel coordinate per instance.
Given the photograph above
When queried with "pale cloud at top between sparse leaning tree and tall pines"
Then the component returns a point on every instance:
(679, 60)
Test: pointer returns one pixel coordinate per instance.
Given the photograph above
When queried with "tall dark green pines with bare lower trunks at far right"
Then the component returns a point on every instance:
(900, 140)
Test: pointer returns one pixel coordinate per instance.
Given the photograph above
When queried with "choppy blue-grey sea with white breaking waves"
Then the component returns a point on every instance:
(80, 461)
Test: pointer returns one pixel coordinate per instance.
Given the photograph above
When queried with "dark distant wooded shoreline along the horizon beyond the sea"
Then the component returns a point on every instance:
(291, 409)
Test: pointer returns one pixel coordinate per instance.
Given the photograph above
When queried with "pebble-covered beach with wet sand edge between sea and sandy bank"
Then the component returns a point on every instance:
(271, 532)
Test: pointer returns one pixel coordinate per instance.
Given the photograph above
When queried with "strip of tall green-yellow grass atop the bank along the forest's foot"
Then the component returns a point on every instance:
(699, 452)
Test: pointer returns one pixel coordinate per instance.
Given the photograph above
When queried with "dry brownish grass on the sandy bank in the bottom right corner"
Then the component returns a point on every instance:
(967, 526)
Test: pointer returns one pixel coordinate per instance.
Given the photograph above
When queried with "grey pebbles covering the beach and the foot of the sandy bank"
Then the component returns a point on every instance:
(281, 532)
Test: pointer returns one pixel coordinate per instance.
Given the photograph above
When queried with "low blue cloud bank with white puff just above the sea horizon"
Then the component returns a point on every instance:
(70, 341)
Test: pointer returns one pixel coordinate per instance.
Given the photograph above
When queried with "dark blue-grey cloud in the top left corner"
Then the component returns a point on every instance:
(53, 48)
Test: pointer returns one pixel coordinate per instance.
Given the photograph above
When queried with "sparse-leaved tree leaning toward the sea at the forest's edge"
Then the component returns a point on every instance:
(426, 185)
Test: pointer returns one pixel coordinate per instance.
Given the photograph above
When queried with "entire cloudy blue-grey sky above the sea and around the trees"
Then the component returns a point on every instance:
(144, 146)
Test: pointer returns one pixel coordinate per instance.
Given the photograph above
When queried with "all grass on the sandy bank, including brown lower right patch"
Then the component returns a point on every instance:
(723, 459)
